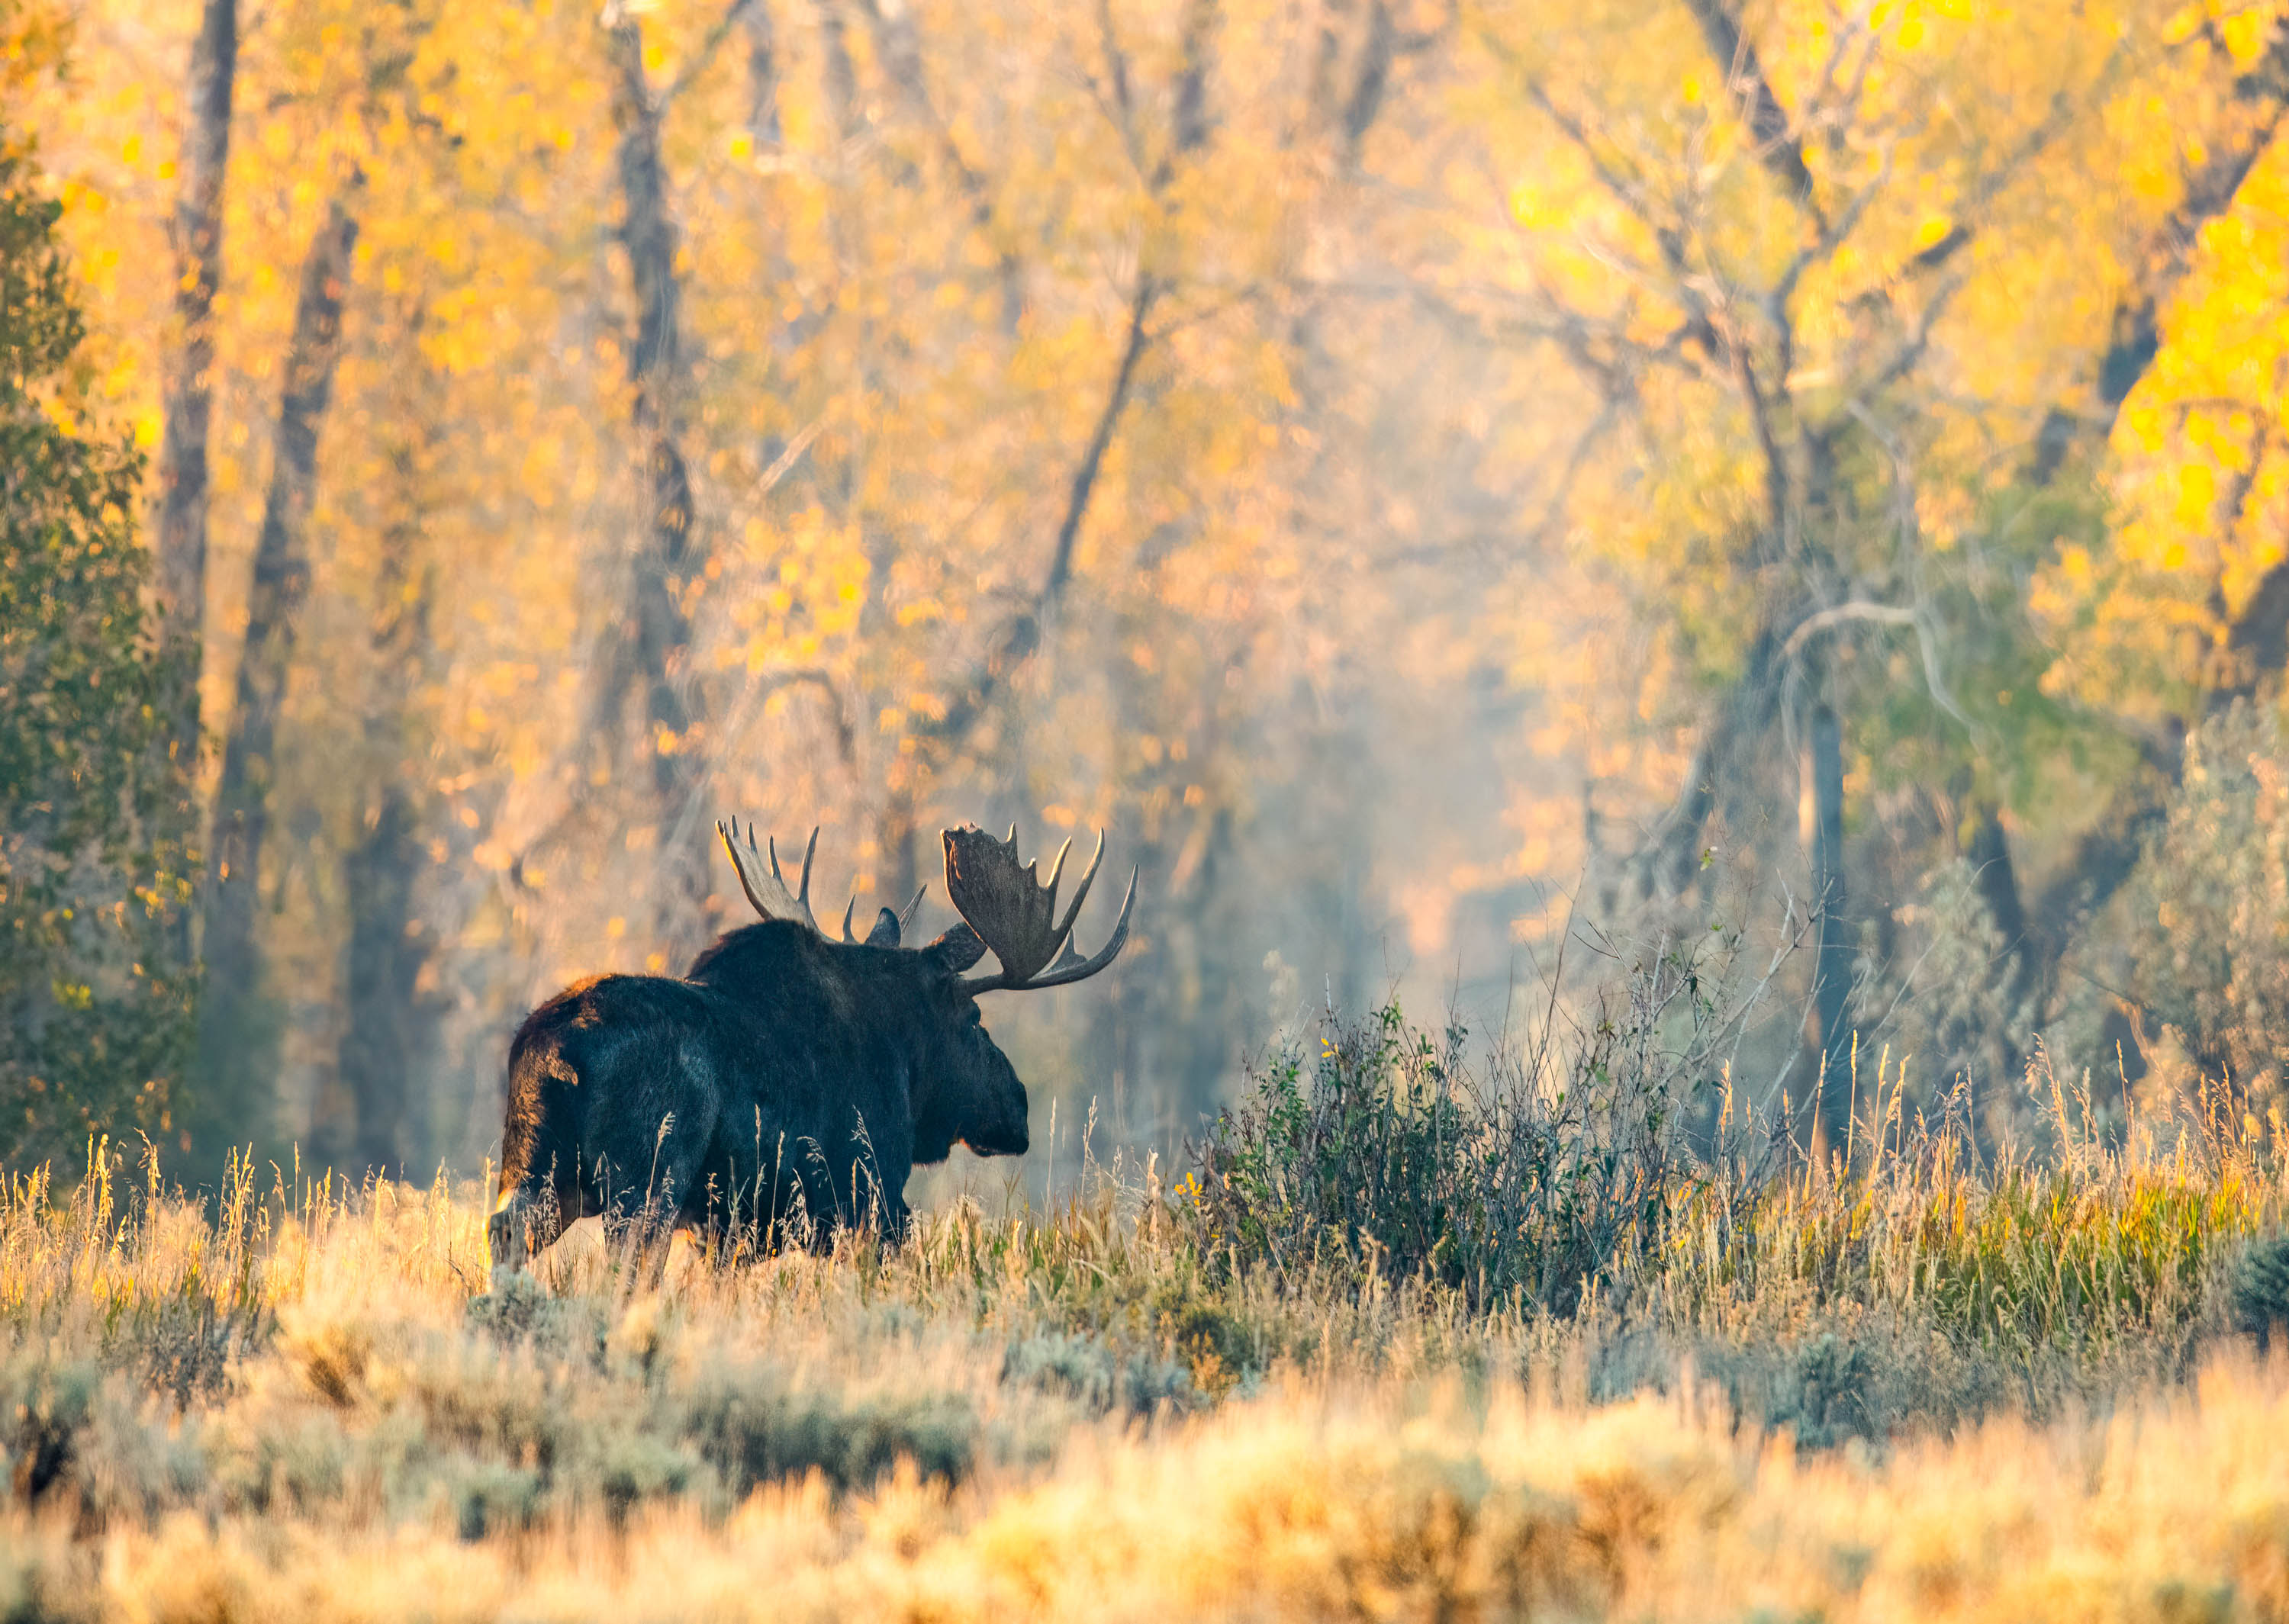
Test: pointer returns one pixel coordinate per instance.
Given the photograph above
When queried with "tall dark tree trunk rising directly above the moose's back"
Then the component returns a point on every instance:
(667, 557)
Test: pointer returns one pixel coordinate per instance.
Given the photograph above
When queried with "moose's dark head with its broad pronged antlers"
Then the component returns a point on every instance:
(960, 1083)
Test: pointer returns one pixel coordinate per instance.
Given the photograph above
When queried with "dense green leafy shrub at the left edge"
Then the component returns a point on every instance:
(95, 811)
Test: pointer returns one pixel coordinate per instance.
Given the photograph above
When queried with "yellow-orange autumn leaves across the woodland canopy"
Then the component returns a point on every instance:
(1535, 324)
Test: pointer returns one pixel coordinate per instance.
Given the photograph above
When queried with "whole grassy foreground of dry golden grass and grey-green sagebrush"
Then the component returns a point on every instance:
(1926, 1392)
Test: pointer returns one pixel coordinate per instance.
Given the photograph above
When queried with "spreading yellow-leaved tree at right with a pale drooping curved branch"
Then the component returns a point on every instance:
(1809, 273)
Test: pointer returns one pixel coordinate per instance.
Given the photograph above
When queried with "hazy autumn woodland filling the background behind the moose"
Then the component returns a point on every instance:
(1420, 475)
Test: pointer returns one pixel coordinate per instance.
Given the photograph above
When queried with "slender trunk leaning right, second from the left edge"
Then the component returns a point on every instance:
(274, 603)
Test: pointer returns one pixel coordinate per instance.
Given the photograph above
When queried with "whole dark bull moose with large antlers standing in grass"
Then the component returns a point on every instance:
(786, 1072)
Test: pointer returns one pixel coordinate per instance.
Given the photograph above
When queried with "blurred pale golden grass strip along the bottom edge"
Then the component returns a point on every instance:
(1336, 1504)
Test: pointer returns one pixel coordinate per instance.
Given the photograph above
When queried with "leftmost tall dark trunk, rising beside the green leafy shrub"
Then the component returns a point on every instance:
(187, 395)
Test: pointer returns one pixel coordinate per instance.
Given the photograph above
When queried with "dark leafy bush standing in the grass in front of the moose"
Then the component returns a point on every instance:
(1523, 1179)
